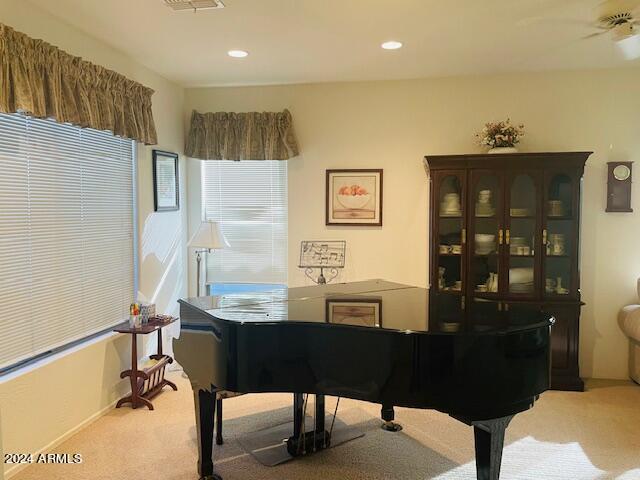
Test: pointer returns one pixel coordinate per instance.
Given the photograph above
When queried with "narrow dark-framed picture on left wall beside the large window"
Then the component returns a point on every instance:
(166, 183)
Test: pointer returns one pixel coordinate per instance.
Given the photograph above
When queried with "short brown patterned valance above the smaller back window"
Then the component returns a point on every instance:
(241, 136)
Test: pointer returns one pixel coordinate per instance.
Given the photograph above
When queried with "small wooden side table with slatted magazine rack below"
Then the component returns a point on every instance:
(148, 382)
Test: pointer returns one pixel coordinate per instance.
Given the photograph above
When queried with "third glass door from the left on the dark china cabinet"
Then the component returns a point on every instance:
(522, 234)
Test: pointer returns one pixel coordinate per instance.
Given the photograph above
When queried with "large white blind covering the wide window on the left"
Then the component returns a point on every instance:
(66, 234)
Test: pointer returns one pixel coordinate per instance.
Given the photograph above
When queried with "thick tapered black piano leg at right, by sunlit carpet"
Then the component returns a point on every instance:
(489, 436)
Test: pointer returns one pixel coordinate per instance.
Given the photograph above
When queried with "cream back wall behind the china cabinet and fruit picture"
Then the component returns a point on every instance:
(392, 125)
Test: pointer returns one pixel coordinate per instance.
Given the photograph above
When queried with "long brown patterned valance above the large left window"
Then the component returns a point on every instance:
(43, 81)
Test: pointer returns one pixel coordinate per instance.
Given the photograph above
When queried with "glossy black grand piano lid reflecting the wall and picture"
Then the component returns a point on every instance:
(374, 304)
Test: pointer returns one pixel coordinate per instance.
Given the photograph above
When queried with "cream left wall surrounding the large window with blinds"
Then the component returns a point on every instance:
(42, 406)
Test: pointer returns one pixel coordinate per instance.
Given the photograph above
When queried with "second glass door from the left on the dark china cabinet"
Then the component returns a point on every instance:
(485, 232)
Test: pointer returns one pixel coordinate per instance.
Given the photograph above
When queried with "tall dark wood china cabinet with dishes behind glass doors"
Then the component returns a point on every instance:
(505, 227)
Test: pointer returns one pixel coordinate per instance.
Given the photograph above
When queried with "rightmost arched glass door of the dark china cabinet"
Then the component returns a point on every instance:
(560, 235)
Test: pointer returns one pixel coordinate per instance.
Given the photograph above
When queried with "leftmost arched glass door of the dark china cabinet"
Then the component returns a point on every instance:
(451, 233)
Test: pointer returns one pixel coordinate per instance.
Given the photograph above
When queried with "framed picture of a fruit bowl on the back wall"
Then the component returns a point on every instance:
(354, 197)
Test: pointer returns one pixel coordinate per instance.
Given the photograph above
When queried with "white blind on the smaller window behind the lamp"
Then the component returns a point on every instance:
(249, 198)
